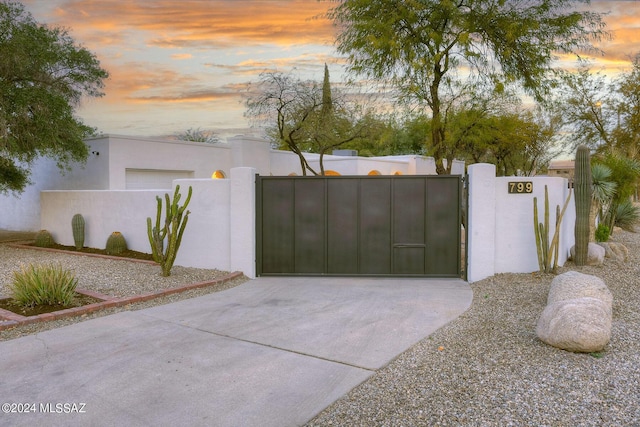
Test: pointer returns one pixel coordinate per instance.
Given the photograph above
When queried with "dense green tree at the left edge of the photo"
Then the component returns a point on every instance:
(43, 76)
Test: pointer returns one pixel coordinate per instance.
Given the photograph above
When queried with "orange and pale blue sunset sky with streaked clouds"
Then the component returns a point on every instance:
(176, 65)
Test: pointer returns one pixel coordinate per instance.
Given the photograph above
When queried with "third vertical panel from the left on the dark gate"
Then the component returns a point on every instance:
(342, 226)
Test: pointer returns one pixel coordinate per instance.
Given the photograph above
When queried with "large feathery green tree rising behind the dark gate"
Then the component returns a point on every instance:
(418, 46)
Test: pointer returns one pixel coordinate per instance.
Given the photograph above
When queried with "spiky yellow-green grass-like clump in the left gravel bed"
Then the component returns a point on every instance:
(43, 284)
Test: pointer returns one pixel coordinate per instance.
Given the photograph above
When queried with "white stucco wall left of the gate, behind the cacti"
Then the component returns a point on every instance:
(215, 205)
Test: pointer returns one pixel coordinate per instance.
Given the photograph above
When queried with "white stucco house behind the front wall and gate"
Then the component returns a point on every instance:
(119, 162)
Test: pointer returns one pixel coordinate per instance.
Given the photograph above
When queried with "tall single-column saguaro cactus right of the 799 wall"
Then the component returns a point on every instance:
(582, 186)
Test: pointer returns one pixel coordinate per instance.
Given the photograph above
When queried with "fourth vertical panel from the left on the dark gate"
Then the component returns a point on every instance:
(375, 226)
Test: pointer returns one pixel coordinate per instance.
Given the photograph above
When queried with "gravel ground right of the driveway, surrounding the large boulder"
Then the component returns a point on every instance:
(487, 368)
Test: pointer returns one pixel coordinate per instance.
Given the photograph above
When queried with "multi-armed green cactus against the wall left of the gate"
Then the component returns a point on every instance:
(172, 230)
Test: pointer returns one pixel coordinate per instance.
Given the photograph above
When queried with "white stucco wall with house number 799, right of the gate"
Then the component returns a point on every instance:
(501, 233)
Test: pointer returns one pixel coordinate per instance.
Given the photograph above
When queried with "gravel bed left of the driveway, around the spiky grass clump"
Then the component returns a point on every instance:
(117, 278)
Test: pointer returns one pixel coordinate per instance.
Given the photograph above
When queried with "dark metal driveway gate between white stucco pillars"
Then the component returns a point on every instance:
(373, 225)
